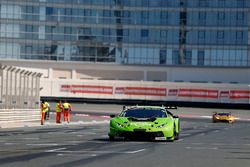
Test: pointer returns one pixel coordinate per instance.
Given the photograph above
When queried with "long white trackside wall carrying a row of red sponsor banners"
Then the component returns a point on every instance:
(141, 90)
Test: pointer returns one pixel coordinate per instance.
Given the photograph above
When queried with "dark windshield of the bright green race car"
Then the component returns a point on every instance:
(145, 113)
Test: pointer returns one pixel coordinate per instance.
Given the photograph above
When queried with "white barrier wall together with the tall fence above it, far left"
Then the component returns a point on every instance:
(19, 96)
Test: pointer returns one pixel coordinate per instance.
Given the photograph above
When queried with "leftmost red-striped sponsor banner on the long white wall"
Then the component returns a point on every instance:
(92, 89)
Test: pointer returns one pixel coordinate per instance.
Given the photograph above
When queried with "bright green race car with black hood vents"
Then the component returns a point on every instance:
(145, 122)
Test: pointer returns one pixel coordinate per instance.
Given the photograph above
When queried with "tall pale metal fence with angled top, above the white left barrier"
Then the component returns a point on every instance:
(19, 89)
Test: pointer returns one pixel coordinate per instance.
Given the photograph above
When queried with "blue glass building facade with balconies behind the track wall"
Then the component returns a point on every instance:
(198, 33)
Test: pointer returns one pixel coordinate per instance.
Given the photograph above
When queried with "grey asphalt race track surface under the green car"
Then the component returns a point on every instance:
(84, 142)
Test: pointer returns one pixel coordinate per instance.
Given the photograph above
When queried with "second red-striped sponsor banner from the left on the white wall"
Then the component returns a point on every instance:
(146, 91)
